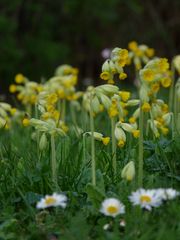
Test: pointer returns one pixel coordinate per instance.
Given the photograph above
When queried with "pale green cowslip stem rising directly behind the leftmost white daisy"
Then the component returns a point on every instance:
(53, 161)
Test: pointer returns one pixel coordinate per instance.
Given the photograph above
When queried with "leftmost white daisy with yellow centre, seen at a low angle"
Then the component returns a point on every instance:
(52, 201)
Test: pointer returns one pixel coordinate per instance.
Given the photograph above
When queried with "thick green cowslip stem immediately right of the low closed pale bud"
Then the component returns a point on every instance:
(140, 157)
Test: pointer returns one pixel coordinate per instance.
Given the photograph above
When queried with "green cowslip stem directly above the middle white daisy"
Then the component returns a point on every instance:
(114, 160)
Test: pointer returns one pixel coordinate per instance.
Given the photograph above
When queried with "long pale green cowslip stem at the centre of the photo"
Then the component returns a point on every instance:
(93, 160)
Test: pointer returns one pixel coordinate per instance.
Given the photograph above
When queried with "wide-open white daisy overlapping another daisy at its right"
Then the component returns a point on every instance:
(146, 198)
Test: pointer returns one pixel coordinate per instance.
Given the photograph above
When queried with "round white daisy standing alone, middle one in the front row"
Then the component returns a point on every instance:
(112, 207)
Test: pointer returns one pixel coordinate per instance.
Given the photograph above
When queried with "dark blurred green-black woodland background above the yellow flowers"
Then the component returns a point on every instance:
(38, 35)
